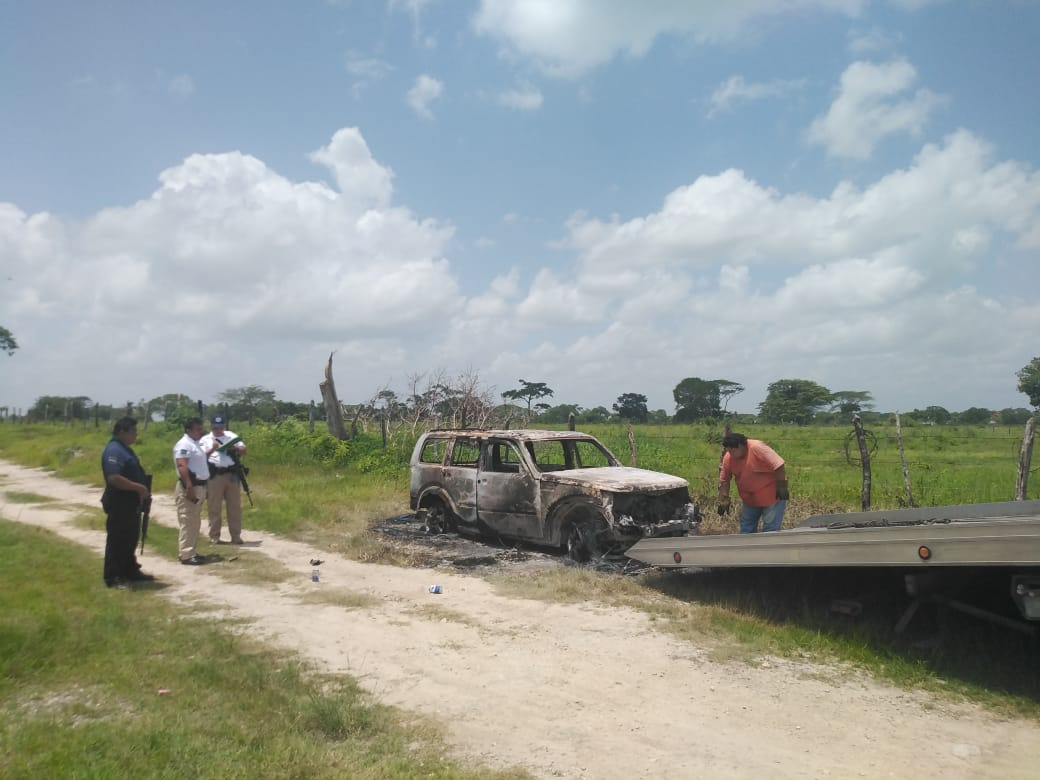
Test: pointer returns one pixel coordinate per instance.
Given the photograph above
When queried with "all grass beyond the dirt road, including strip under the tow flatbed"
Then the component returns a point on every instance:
(309, 486)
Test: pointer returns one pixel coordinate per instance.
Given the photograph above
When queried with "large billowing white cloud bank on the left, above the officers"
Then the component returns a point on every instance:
(226, 264)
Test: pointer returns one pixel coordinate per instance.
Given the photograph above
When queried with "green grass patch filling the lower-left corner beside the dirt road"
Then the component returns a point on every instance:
(83, 667)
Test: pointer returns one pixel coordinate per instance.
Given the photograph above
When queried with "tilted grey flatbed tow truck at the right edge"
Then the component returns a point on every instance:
(937, 549)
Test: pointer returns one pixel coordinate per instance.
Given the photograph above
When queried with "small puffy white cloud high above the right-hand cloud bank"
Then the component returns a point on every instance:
(869, 109)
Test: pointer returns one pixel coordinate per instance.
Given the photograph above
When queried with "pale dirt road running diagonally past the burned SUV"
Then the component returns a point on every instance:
(564, 691)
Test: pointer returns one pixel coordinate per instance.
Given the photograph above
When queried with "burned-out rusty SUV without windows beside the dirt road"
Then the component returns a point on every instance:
(552, 488)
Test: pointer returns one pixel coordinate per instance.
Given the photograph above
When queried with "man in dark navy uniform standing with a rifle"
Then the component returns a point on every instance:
(126, 489)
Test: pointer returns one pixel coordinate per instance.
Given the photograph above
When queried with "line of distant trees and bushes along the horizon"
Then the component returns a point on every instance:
(439, 400)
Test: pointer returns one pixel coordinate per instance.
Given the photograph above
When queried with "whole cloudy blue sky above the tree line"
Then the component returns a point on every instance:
(605, 196)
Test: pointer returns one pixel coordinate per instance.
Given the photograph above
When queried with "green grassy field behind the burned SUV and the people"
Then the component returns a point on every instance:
(303, 479)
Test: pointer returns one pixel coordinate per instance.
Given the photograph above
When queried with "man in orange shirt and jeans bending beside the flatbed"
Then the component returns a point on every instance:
(761, 481)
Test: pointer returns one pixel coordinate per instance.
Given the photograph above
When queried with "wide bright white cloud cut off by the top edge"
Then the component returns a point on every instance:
(568, 39)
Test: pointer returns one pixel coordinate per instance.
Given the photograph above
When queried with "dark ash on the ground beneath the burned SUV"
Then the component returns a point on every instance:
(410, 535)
